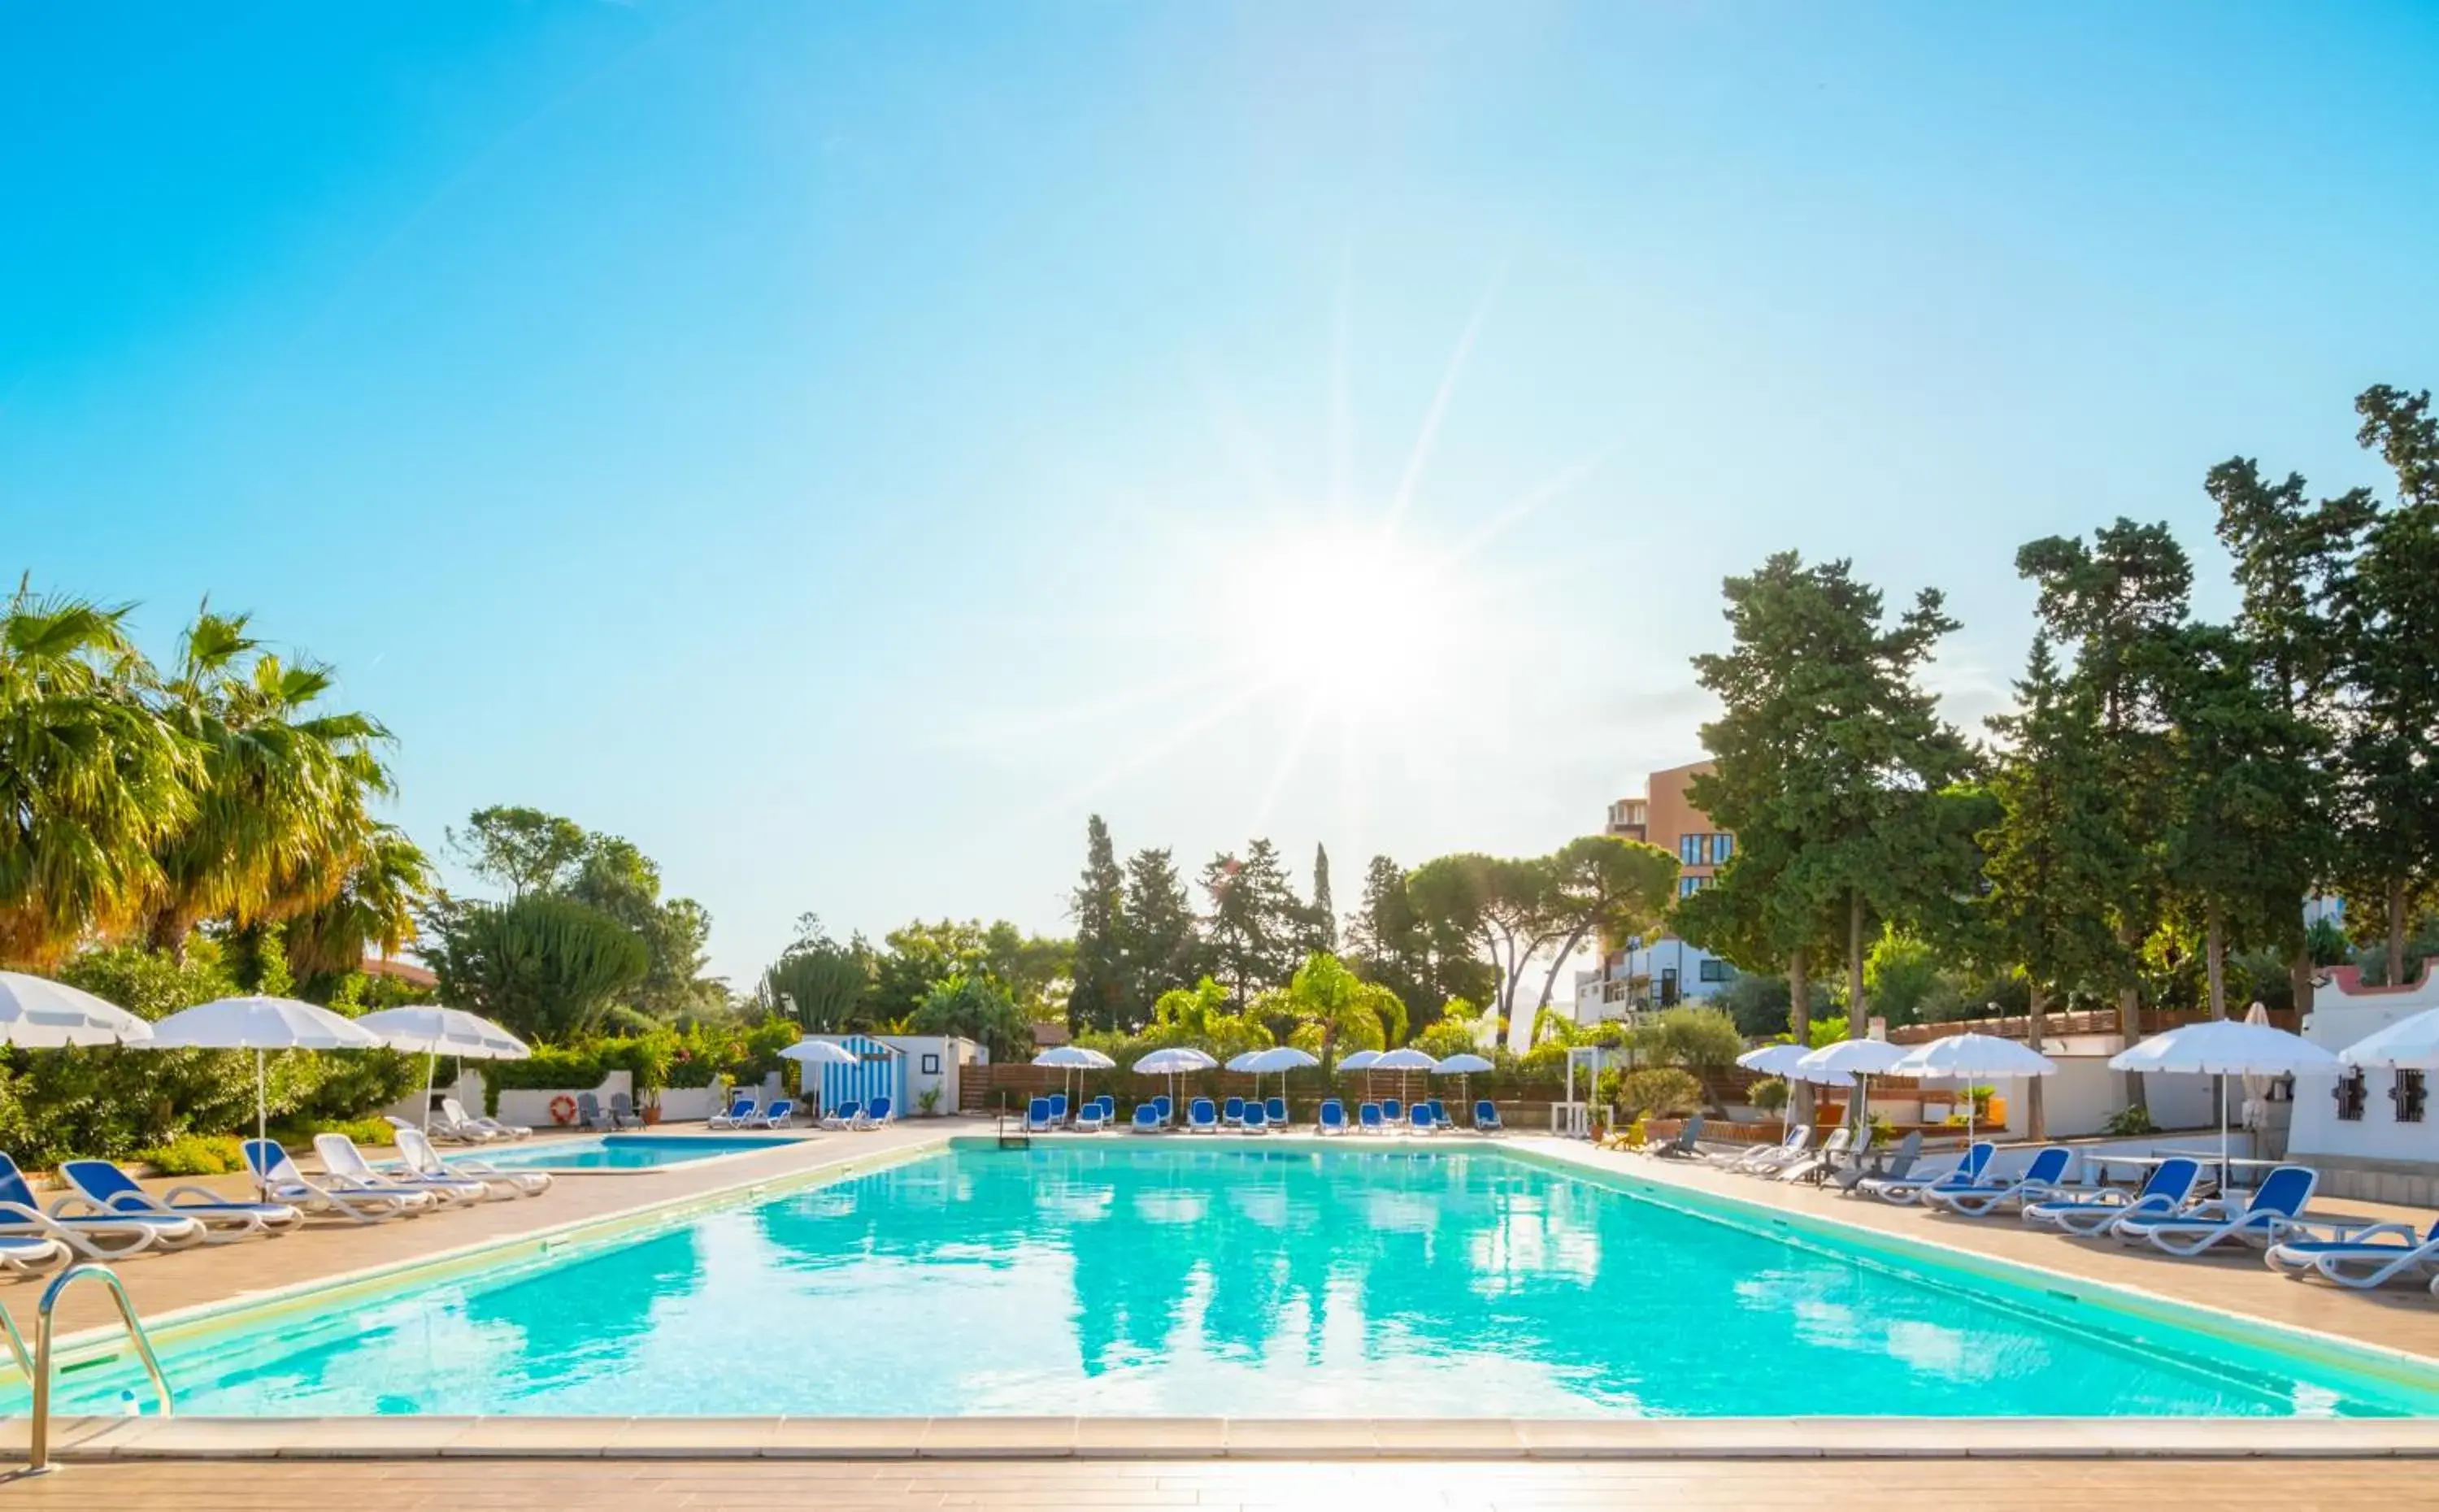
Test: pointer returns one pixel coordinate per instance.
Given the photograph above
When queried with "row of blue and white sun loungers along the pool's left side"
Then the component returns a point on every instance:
(111, 1218)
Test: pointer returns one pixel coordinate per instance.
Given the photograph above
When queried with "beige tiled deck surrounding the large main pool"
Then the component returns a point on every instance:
(370, 1462)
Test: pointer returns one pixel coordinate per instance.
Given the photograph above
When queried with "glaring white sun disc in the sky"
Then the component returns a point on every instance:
(1352, 618)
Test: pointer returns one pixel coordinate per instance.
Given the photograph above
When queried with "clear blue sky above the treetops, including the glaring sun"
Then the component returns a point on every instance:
(845, 445)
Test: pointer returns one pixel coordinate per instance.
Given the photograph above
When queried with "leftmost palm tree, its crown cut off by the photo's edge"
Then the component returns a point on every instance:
(91, 782)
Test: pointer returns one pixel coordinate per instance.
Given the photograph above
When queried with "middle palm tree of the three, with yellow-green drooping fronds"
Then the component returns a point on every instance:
(282, 806)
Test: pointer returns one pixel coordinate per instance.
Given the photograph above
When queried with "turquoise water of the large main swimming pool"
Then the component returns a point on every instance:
(1277, 1282)
